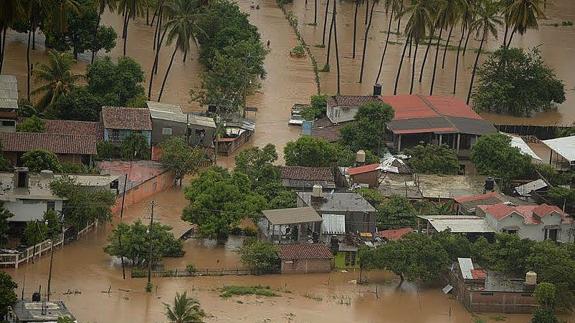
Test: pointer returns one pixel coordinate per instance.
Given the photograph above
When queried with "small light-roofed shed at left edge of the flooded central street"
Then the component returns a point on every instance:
(237, 131)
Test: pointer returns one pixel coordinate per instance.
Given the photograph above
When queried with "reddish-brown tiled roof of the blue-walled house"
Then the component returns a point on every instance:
(126, 118)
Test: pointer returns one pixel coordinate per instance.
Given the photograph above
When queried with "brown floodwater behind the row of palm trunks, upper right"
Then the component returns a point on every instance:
(557, 45)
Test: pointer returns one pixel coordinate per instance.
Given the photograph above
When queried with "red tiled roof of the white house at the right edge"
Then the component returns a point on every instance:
(531, 214)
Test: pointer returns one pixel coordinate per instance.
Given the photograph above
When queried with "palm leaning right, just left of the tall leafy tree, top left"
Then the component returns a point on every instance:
(182, 27)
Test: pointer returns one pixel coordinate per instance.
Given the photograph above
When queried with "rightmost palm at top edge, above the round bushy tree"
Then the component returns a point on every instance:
(523, 15)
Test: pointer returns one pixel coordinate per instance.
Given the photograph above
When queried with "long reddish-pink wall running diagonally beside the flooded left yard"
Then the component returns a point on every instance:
(144, 190)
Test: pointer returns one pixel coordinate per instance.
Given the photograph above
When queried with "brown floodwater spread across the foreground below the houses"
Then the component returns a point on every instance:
(83, 266)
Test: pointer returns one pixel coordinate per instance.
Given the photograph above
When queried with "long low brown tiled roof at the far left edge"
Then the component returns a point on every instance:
(56, 143)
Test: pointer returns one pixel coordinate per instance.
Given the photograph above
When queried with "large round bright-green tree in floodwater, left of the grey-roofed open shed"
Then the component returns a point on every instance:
(219, 200)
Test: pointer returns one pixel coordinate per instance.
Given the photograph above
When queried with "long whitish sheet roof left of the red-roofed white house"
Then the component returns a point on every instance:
(458, 223)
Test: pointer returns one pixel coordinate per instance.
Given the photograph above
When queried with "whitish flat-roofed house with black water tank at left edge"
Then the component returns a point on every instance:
(28, 195)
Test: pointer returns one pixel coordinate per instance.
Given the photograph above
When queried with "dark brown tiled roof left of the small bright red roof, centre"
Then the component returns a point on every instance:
(304, 178)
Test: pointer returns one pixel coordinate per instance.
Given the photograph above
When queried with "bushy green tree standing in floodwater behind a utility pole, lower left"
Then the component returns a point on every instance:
(136, 240)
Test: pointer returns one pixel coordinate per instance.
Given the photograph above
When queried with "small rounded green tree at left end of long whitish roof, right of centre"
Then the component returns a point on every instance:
(396, 212)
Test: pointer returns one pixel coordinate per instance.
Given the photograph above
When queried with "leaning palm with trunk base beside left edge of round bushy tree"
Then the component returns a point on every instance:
(485, 24)
